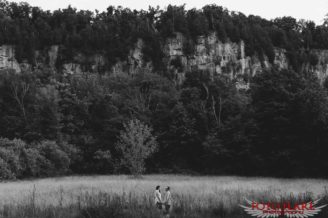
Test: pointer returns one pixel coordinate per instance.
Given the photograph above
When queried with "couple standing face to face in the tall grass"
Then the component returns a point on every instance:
(164, 204)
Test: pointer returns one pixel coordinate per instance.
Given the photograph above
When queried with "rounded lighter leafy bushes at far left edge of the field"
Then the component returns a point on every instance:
(20, 160)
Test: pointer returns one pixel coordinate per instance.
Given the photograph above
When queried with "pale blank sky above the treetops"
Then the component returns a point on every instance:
(306, 9)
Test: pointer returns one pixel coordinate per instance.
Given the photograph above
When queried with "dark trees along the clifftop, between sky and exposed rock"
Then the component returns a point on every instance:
(115, 31)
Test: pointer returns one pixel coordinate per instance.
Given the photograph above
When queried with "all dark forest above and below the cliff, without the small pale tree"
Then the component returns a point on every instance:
(51, 124)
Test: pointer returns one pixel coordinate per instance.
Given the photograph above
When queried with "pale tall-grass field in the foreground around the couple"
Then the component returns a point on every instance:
(123, 196)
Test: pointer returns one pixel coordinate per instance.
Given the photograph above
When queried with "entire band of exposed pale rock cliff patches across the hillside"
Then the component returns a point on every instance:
(208, 54)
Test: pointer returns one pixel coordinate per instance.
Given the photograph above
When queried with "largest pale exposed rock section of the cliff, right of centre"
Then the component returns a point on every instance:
(212, 55)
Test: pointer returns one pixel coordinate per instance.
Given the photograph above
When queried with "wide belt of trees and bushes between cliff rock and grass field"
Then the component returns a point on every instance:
(97, 123)
